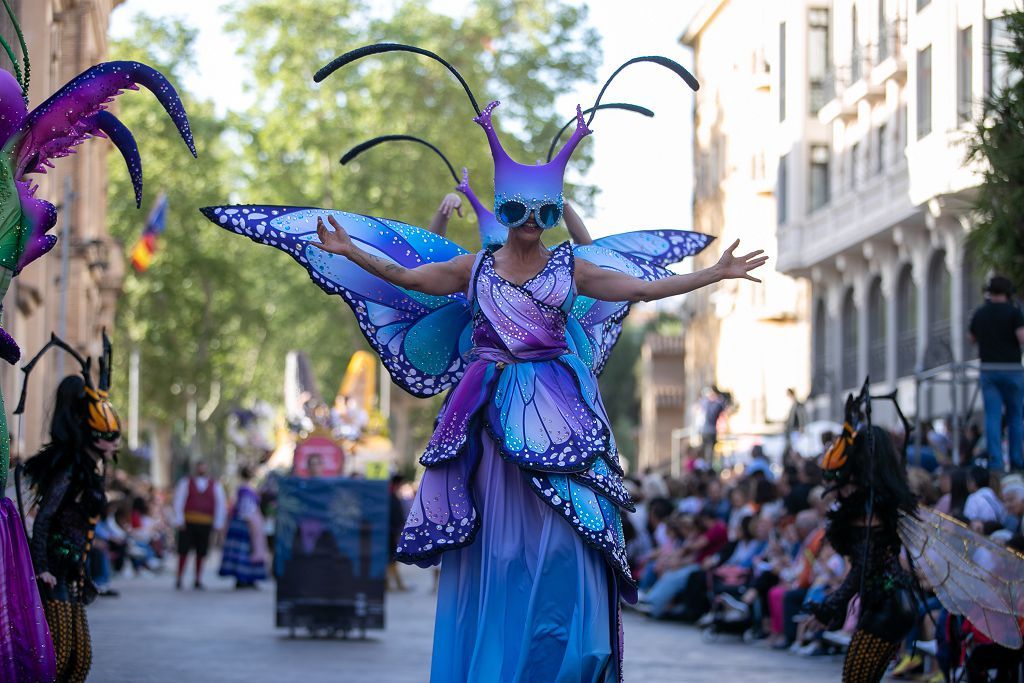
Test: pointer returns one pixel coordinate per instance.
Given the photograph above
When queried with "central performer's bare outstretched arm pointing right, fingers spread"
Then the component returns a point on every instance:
(606, 285)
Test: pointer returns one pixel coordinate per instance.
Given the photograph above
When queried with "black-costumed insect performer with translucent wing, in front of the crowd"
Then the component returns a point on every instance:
(876, 518)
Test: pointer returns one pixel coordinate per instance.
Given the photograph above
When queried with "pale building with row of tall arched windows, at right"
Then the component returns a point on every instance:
(877, 100)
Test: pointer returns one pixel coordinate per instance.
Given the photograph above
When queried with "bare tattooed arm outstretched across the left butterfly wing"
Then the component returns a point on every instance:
(439, 279)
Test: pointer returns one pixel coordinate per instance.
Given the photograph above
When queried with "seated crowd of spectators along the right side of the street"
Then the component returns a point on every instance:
(744, 551)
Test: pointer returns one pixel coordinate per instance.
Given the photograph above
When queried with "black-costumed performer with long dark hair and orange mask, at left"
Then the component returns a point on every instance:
(68, 480)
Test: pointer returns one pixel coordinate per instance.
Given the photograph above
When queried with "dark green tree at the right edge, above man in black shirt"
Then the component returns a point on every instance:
(998, 143)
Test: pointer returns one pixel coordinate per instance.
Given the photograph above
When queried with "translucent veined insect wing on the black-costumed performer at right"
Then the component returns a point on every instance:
(970, 575)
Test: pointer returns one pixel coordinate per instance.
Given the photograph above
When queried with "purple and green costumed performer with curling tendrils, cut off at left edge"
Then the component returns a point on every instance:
(31, 141)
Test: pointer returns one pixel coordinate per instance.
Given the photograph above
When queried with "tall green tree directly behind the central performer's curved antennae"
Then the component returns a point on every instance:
(297, 132)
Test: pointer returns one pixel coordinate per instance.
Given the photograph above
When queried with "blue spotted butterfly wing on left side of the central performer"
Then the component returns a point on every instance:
(420, 338)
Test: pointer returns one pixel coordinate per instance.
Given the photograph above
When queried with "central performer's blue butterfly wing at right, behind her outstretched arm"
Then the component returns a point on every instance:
(594, 326)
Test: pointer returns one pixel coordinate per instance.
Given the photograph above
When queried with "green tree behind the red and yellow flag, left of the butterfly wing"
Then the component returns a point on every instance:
(201, 313)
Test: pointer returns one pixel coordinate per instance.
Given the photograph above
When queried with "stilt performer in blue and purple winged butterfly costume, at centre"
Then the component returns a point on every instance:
(523, 491)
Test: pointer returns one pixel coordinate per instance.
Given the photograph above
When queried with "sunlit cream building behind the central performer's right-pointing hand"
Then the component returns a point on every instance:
(748, 339)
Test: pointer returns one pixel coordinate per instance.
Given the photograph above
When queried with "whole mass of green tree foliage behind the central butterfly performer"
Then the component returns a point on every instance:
(216, 309)
